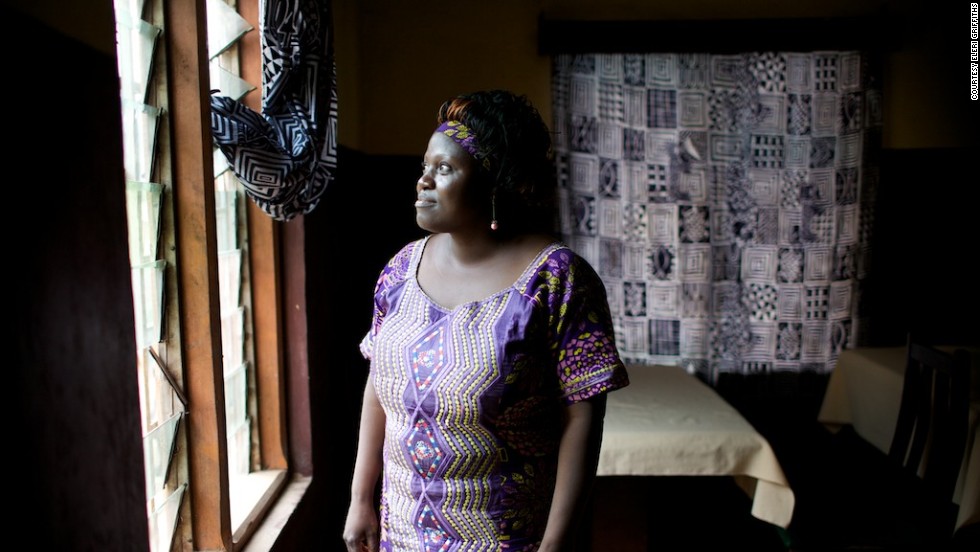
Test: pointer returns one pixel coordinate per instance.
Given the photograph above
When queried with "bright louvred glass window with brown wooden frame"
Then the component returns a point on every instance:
(209, 364)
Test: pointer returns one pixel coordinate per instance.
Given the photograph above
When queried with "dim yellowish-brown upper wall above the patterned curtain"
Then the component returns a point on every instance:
(398, 60)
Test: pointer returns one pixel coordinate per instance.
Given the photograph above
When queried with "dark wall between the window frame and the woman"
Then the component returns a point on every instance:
(364, 217)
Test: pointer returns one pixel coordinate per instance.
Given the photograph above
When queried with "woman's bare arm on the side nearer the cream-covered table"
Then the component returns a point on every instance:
(578, 457)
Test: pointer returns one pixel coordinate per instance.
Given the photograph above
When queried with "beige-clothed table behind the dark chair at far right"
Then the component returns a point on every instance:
(865, 390)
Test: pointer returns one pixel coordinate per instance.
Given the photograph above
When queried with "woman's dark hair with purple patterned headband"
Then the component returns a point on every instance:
(512, 146)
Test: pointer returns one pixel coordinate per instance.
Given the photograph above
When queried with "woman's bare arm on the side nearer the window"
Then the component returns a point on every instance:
(361, 528)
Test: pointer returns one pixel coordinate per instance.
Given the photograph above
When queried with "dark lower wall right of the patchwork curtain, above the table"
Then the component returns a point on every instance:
(925, 253)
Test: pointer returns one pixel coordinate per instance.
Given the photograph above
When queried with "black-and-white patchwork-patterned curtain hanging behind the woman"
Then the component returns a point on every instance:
(725, 200)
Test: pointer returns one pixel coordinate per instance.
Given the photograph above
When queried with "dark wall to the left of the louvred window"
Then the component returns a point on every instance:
(76, 444)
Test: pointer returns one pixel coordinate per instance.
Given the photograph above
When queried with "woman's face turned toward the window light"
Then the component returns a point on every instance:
(447, 190)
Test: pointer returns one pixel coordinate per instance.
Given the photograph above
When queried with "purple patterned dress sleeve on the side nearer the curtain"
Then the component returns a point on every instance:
(588, 361)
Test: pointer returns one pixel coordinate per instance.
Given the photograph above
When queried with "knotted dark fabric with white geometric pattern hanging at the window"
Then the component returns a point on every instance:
(286, 156)
